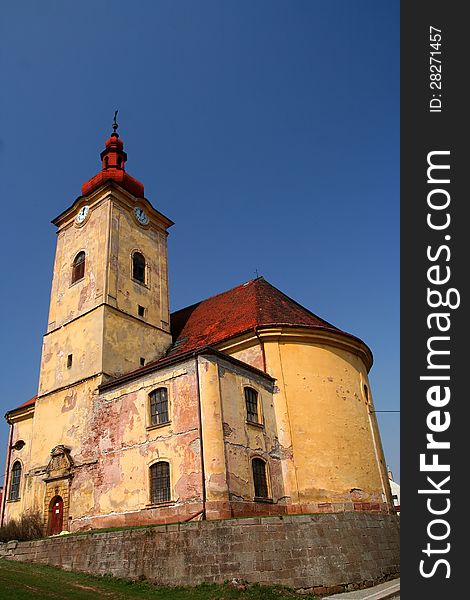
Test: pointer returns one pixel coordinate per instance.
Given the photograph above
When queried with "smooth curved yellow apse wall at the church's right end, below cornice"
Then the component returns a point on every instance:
(332, 440)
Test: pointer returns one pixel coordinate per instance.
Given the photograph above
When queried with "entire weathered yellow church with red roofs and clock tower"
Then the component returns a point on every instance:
(243, 404)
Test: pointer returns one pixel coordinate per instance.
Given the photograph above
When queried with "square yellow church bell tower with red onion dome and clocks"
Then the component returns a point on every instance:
(109, 308)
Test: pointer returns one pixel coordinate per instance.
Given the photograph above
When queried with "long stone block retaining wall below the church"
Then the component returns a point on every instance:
(323, 551)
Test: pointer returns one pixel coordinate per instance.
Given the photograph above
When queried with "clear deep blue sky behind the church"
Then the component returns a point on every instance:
(268, 130)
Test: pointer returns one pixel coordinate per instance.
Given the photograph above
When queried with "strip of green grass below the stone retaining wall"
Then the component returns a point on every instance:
(21, 581)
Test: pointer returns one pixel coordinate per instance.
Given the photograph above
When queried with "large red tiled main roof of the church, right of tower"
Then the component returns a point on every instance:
(254, 304)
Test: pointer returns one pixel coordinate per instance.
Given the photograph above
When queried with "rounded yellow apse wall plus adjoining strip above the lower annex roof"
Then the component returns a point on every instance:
(328, 435)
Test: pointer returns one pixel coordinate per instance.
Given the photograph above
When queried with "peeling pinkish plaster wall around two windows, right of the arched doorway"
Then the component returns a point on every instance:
(126, 445)
